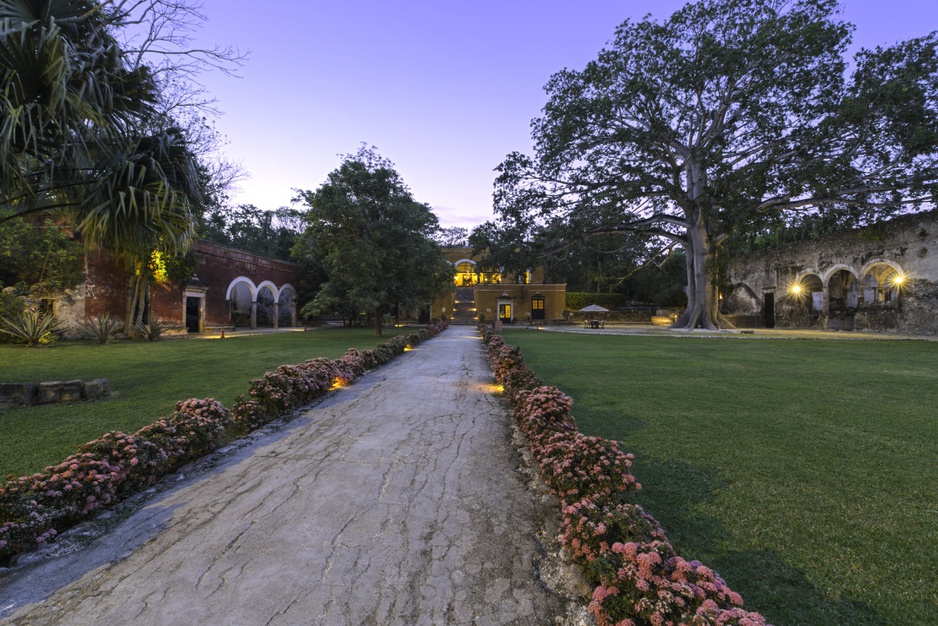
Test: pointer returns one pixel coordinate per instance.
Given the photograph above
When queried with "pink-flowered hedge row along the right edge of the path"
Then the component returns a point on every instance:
(637, 576)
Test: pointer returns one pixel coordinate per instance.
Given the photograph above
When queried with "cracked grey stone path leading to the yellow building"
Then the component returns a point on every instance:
(396, 500)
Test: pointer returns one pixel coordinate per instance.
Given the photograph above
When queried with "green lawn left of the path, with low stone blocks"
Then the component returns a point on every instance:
(149, 378)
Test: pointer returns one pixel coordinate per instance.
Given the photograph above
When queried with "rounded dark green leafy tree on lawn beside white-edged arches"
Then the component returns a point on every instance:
(374, 240)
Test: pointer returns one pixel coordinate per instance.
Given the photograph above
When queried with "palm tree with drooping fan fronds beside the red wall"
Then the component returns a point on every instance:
(81, 134)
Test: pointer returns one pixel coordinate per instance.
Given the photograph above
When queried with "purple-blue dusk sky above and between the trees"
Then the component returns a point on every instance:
(443, 88)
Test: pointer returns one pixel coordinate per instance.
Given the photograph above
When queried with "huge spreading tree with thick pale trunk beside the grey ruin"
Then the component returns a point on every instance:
(728, 114)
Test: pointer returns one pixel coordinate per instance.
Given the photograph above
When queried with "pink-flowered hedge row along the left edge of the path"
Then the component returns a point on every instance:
(34, 509)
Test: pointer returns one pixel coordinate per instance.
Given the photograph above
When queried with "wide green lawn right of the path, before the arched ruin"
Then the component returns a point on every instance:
(804, 472)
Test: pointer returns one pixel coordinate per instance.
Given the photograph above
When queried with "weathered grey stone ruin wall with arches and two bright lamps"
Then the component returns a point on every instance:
(907, 243)
